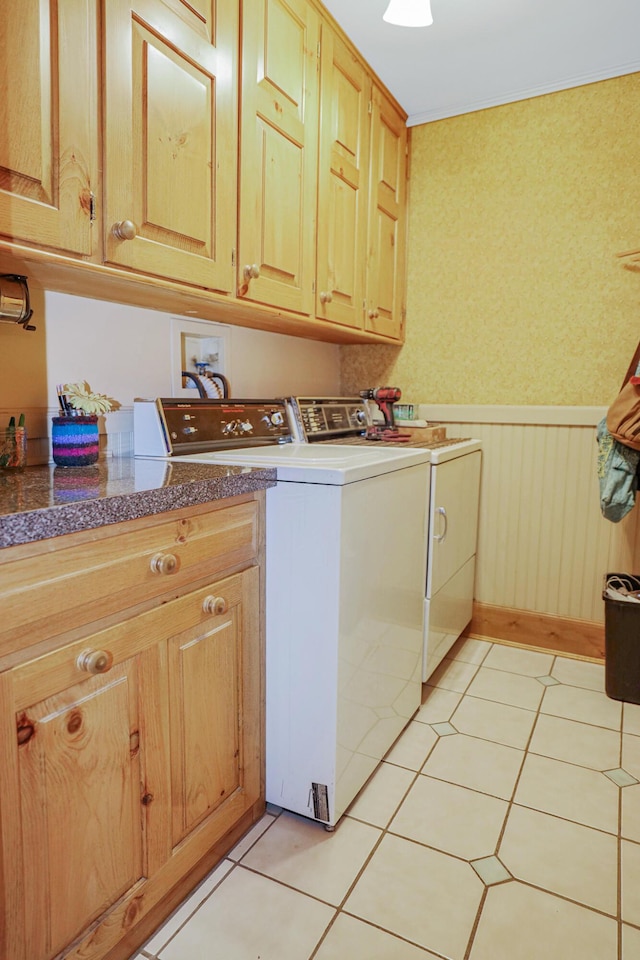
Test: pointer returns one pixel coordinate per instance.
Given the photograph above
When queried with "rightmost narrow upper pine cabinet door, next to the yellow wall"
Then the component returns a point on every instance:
(387, 220)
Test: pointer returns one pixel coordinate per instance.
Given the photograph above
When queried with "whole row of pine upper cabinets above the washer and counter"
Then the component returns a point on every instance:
(281, 187)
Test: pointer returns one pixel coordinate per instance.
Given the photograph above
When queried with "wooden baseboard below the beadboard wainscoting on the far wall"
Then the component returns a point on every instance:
(578, 638)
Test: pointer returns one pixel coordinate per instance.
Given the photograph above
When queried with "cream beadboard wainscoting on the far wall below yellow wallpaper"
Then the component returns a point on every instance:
(543, 544)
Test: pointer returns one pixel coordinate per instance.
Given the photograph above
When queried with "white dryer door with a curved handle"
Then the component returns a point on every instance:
(453, 520)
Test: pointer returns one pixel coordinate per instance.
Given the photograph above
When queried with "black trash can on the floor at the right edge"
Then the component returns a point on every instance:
(621, 638)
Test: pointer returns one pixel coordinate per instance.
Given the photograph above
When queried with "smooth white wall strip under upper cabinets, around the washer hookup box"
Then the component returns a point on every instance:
(126, 352)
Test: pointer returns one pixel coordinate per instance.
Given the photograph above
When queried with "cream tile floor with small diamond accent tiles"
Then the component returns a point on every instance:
(504, 824)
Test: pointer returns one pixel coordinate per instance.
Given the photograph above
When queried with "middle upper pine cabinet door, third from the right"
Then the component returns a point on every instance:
(278, 153)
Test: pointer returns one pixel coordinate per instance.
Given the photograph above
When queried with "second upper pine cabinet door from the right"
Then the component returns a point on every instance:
(343, 184)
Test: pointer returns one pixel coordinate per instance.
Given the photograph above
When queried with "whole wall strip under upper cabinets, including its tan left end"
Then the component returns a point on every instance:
(127, 352)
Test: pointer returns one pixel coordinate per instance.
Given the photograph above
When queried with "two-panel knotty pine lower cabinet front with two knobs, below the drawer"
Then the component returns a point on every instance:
(126, 756)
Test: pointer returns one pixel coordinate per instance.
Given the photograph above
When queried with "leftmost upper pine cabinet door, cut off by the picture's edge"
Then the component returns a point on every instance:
(48, 123)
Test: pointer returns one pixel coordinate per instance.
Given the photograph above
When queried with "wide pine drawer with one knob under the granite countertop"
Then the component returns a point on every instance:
(70, 584)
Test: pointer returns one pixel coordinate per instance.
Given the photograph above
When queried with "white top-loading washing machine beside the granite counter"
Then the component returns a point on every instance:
(345, 575)
